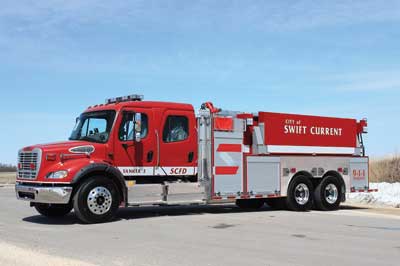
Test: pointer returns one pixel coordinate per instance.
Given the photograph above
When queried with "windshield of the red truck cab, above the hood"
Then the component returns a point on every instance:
(94, 126)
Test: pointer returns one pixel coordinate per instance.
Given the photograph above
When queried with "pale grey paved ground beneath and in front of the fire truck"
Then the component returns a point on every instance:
(201, 235)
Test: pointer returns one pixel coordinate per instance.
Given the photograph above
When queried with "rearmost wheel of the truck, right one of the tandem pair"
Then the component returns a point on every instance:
(327, 195)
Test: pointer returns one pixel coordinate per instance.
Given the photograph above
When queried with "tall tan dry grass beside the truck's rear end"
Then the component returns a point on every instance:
(385, 170)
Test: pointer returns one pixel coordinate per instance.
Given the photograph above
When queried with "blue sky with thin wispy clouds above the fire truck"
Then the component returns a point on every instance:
(335, 58)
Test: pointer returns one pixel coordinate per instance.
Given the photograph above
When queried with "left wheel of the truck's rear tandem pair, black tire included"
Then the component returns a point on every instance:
(300, 194)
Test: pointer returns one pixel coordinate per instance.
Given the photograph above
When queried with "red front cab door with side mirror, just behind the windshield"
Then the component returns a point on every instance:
(131, 157)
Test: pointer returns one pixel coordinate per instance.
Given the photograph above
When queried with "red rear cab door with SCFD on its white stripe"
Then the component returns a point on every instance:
(178, 144)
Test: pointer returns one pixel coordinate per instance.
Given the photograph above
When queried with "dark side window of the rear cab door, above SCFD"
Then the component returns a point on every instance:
(176, 128)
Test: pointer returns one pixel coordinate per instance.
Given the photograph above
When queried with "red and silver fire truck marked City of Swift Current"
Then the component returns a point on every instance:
(131, 152)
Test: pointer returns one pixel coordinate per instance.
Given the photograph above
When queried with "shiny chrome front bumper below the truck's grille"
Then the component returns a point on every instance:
(55, 195)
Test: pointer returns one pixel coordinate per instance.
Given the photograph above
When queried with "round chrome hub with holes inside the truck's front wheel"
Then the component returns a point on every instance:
(99, 200)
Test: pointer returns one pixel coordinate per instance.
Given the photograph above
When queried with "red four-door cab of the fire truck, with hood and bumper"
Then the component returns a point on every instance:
(124, 139)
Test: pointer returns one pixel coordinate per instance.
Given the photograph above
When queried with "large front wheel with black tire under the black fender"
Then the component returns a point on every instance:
(97, 200)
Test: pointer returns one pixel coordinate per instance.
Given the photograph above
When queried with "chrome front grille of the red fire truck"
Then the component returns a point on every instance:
(28, 164)
